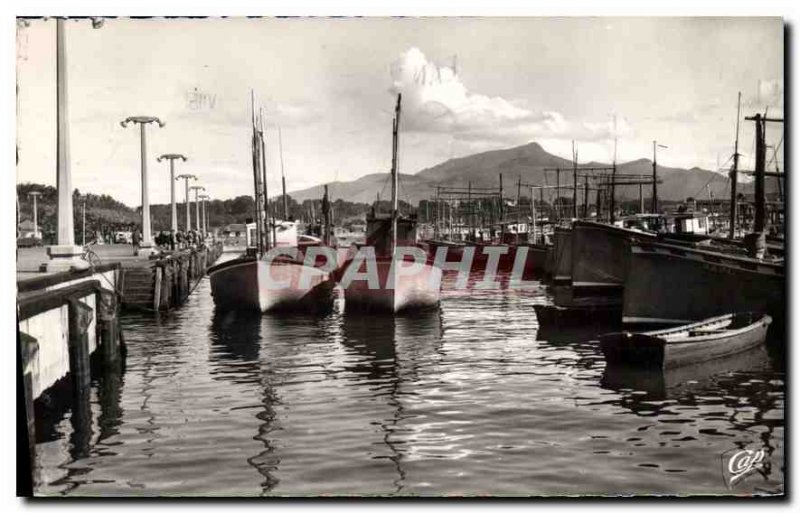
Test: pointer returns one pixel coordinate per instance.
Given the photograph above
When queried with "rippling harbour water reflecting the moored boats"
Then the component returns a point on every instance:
(473, 399)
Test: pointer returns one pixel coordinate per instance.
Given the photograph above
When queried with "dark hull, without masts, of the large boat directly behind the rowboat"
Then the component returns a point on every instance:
(670, 284)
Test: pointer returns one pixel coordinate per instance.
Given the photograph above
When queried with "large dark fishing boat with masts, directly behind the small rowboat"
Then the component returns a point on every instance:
(671, 283)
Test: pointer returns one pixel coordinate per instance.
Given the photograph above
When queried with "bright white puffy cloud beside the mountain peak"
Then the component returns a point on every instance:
(435, 100)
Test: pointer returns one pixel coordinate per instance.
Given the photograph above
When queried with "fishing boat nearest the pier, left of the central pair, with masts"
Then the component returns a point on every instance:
(272, 275)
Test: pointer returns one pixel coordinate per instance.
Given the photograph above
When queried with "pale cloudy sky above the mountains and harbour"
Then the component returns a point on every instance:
(330, 85)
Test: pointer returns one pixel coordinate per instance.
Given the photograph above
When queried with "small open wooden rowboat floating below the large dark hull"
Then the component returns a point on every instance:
(683, 345)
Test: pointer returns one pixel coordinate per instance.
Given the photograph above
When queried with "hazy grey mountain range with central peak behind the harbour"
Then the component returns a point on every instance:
(528, 162)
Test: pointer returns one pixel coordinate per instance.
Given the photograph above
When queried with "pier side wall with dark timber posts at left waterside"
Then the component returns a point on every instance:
(68, 328)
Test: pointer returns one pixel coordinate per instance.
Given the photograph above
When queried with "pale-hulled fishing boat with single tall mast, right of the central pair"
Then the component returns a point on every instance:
(394, 291)
